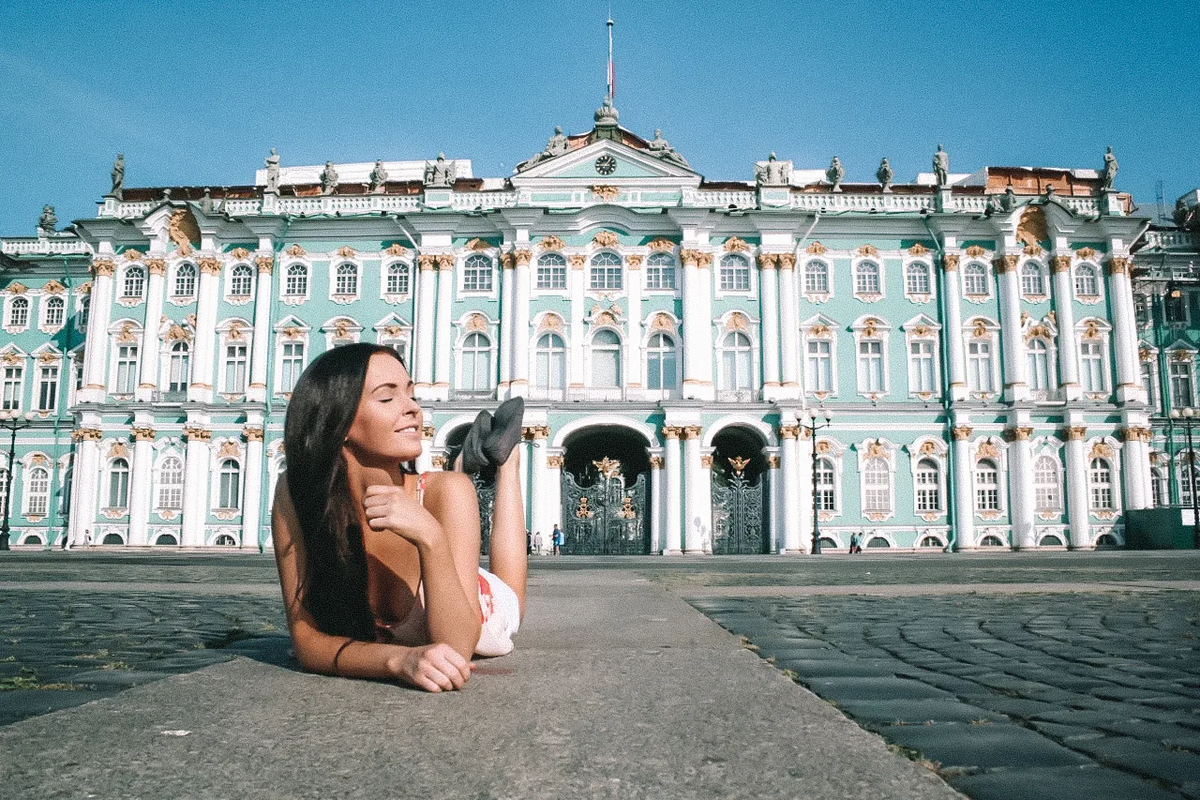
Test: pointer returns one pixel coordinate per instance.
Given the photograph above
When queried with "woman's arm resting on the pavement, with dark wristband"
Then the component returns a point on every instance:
(434, 667)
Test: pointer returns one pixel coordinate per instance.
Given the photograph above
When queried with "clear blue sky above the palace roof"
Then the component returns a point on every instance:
(197, 93)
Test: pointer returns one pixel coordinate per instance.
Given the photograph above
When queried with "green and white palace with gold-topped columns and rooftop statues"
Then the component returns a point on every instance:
(967, 346)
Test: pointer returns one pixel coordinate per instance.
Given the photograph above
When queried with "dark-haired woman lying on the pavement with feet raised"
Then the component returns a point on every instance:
(380, 567)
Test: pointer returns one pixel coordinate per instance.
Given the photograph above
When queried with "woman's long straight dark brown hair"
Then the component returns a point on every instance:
(323, 406)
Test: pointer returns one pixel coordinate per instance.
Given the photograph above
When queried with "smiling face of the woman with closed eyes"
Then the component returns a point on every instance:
(387, 429)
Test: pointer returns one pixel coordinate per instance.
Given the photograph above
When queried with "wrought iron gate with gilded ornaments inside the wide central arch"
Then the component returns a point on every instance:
(605, 518)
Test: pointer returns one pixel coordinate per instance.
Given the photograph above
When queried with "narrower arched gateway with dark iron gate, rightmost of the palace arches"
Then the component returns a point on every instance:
(740, 492)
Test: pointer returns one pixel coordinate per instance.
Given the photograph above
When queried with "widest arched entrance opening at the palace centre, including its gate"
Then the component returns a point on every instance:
(607, 494)
